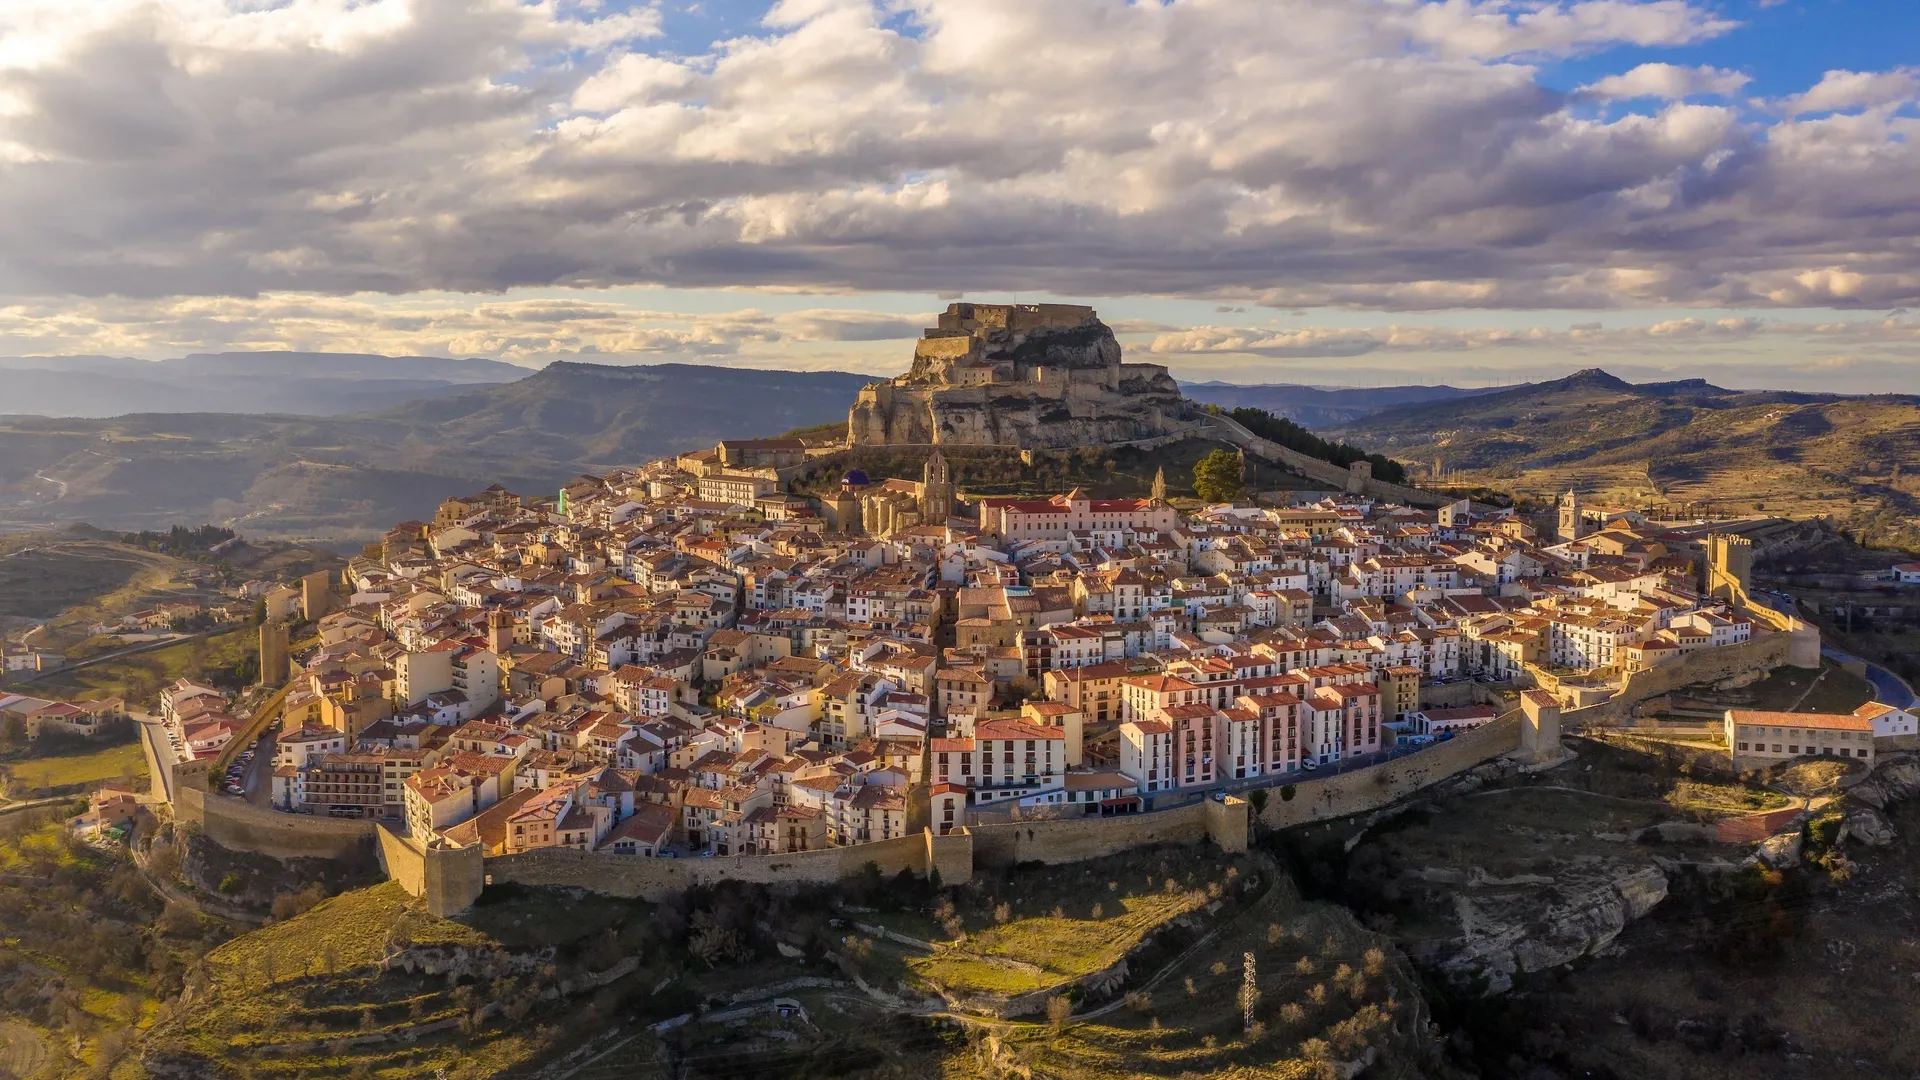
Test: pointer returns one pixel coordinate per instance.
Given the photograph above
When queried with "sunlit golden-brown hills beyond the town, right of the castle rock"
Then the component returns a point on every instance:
(1687, 445)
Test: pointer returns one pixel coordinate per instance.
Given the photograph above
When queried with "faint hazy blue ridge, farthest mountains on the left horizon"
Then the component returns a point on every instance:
(293, 383)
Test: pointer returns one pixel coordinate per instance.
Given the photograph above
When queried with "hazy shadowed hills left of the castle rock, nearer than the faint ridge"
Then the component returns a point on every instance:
(352, 476)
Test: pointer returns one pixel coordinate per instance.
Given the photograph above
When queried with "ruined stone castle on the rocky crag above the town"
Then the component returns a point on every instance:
(1030, 376)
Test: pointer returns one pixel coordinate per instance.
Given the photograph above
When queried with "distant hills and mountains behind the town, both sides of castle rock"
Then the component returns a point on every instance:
(456, 426)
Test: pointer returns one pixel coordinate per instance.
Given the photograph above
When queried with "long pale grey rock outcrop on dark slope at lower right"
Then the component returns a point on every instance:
(1510, 935)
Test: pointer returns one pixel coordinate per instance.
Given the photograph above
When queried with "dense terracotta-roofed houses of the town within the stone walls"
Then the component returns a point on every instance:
(684, 660)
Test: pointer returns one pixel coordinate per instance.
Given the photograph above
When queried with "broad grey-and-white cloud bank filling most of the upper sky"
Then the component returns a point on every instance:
(1395, 155)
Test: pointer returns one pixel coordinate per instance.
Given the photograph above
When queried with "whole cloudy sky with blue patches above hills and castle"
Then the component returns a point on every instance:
(1259, 191)
